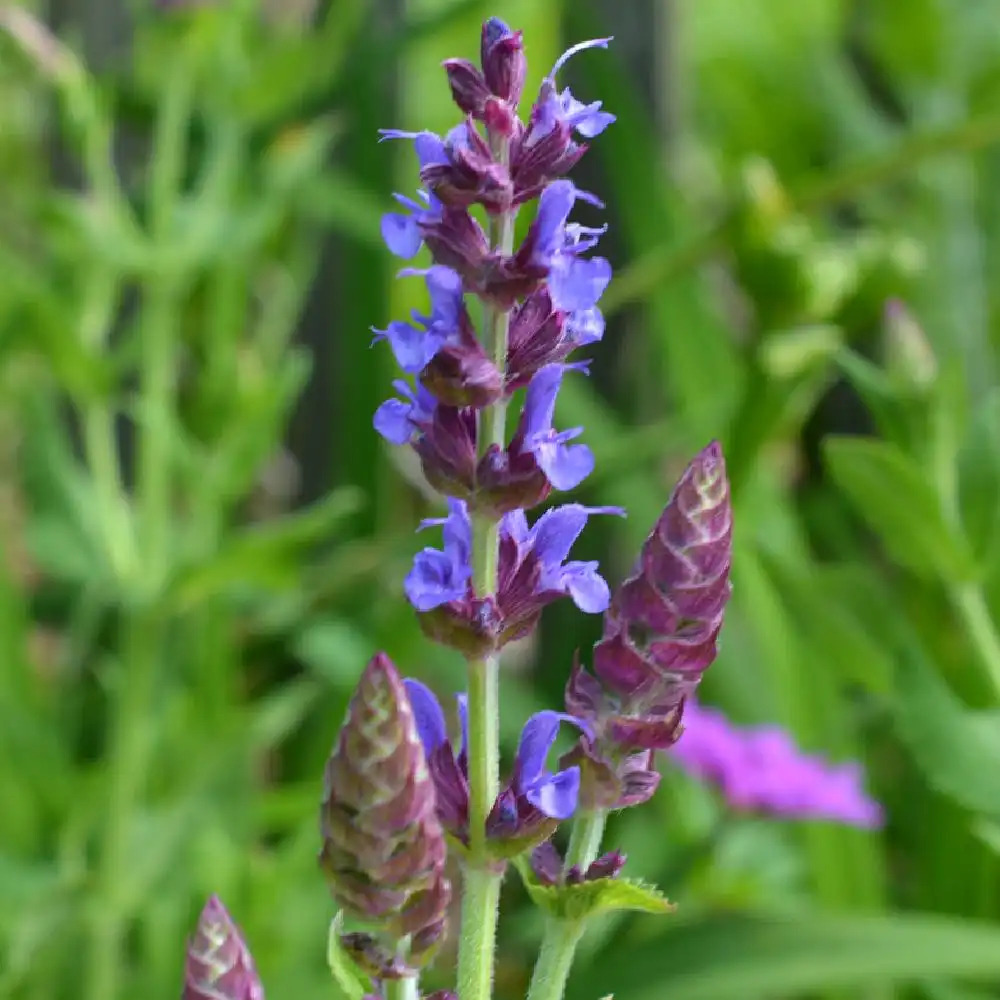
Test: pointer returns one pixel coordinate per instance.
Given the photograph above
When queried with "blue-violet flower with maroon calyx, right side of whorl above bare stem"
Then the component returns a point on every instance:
(533, 566)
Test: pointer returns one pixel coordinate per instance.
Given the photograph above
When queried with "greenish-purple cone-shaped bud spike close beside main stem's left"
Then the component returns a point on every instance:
(383, 847)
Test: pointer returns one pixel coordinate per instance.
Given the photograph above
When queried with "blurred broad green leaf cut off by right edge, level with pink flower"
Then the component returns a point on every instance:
(957, 750)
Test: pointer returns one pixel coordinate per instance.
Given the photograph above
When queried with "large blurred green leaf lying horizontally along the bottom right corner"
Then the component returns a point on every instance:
(715, 957)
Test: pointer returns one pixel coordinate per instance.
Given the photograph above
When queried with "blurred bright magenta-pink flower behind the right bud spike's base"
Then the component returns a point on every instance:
(760, 769)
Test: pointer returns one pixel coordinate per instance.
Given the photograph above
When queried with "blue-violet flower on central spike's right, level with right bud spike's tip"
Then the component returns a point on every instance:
(565, 465)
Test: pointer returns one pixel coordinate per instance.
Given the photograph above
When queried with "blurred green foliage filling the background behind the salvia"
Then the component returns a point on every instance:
(179, 632)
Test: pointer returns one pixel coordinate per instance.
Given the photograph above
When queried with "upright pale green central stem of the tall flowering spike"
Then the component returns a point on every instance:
(482, 876)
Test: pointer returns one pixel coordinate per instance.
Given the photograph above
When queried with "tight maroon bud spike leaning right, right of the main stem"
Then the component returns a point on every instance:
(660, 634)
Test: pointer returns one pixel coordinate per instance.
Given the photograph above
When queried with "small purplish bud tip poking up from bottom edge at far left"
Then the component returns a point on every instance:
(218, 964)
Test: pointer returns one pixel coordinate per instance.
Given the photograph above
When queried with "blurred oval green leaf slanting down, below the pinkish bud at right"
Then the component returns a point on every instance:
(894, 498)
